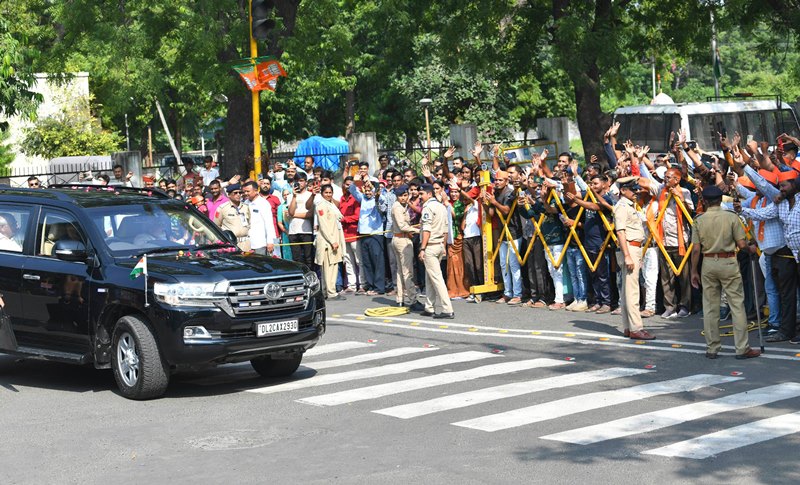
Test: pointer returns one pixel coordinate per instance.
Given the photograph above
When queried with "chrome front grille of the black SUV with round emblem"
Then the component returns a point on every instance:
(247, 297)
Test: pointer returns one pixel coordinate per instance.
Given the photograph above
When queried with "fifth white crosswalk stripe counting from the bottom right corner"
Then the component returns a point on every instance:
(391, 388)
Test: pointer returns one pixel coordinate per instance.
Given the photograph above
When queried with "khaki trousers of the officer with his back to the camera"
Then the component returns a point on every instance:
(723, 274)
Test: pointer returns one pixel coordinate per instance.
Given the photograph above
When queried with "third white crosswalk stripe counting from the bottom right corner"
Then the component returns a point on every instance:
(588, 402)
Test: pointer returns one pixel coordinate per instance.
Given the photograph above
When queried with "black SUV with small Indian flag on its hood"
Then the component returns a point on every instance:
(70, 259)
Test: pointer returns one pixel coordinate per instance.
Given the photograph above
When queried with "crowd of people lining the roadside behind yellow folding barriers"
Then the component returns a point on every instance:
(618, 234)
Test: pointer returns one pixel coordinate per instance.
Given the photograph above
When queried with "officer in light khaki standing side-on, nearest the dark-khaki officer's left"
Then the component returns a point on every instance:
(630, 237)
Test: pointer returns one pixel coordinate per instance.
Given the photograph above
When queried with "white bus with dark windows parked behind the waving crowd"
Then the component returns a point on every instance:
(651, 124)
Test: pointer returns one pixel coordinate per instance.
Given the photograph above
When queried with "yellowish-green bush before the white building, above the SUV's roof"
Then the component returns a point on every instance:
(72, 132)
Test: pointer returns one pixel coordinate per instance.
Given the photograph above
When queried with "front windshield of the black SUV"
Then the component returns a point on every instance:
(129, 230)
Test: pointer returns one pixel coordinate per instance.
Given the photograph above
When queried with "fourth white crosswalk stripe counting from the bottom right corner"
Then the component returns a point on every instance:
(480, 396)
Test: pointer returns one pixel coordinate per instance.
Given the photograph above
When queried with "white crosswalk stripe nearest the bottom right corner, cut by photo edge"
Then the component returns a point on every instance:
(732, 438)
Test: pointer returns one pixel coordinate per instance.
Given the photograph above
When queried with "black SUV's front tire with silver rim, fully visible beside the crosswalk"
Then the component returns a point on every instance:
(138, 367)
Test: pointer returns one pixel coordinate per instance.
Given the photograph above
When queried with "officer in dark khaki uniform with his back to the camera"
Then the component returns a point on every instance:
(717, 234)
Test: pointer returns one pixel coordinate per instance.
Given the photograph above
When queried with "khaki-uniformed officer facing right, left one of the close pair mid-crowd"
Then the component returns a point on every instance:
(403, 247)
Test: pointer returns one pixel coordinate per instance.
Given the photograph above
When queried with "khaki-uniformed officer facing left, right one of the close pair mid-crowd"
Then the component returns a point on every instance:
(432, 251)
